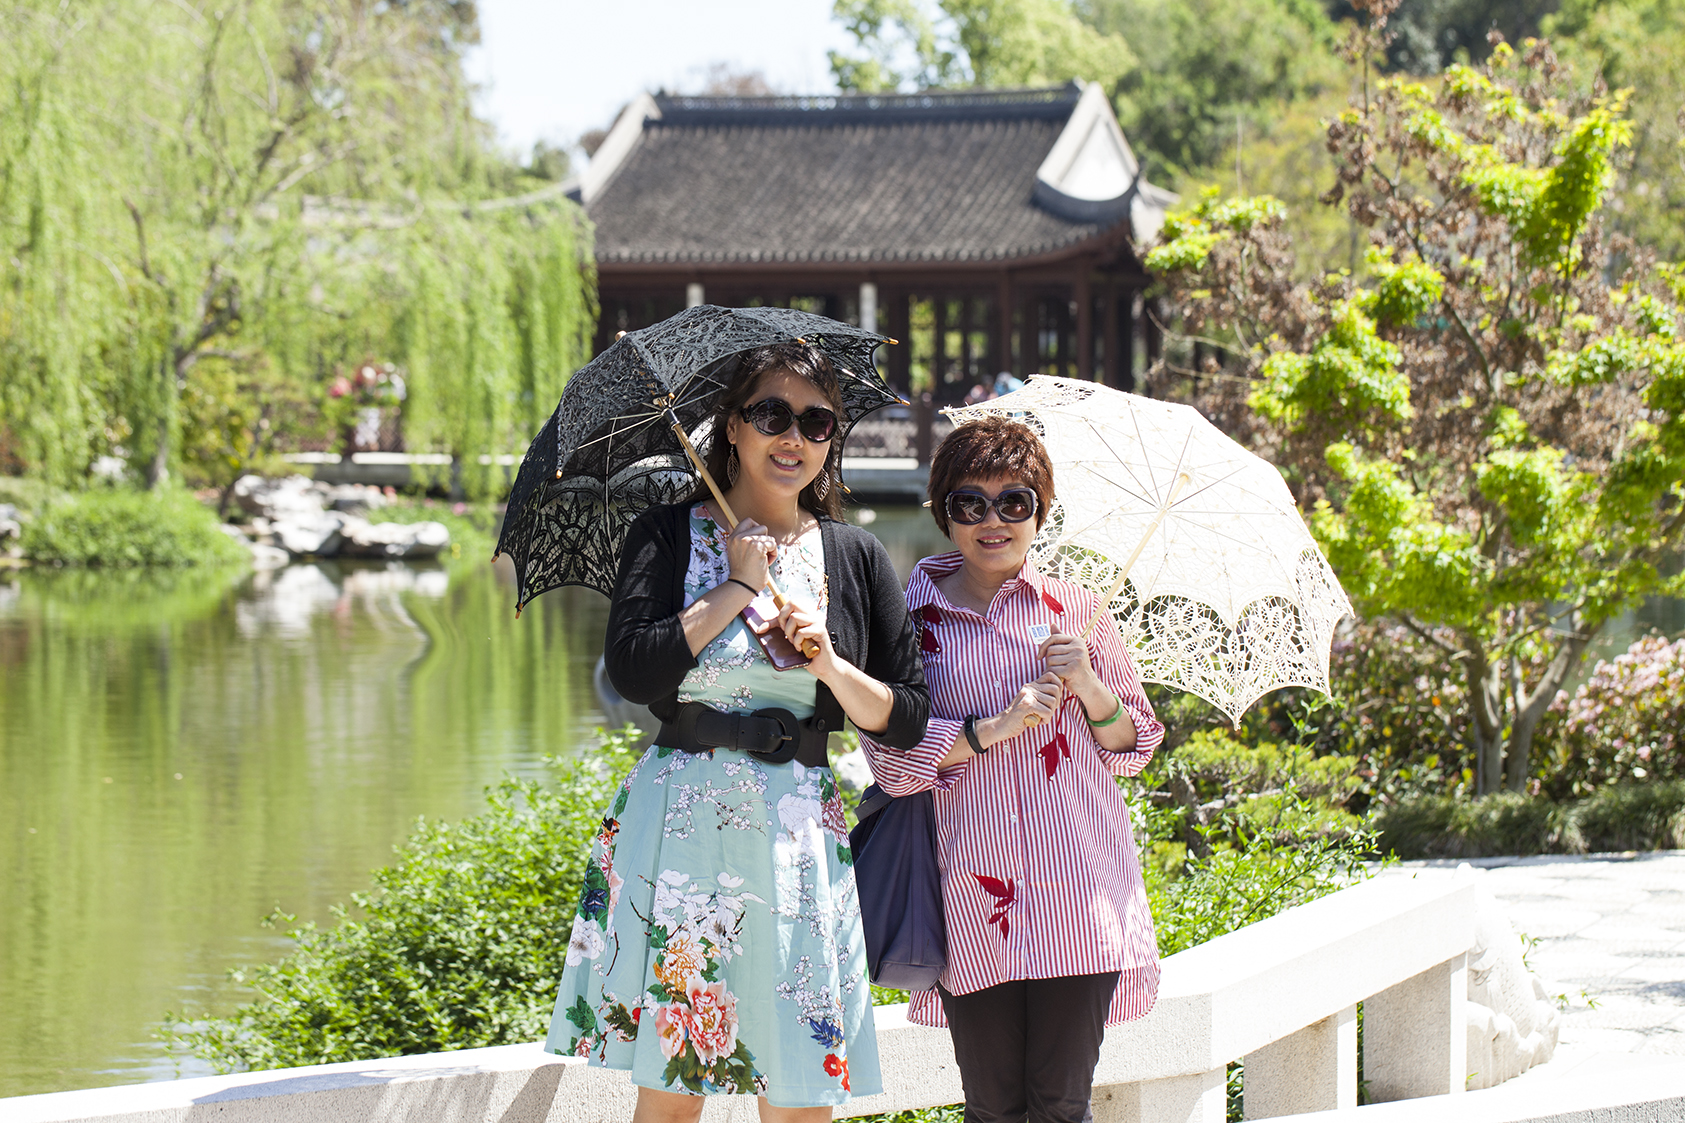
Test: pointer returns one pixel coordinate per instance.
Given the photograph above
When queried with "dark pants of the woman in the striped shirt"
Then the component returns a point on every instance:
(1027, 1050)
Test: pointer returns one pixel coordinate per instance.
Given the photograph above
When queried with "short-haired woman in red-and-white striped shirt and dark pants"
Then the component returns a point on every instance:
(1049, 932)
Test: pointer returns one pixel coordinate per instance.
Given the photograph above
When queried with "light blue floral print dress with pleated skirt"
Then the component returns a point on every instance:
(717, 947)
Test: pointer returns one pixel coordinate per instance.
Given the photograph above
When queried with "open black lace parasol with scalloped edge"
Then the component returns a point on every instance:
(609, 451)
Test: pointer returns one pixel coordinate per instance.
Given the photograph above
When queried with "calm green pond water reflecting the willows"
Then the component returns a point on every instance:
(181, 756)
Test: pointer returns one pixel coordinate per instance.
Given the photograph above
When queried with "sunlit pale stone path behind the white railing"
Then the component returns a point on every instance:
(1612, 937)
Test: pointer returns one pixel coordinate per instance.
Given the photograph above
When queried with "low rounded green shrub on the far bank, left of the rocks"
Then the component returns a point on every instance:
(126, 529)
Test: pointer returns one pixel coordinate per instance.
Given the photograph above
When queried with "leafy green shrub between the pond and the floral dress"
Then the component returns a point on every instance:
(461, 945)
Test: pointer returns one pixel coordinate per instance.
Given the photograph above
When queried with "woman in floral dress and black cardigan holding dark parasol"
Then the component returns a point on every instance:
(717, 947)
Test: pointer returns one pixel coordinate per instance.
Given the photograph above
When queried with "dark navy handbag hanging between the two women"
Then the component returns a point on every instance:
(901, 889)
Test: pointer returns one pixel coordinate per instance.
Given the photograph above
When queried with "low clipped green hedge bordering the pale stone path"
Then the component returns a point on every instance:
(1627, 817)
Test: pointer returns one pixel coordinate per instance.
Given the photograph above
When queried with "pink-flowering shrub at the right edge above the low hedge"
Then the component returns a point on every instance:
(1623, 724)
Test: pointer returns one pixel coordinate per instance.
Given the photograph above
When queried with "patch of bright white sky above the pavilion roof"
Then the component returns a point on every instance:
(552, 70)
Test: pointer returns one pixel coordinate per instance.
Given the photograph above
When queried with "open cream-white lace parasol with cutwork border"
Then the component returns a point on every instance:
(1229, 598)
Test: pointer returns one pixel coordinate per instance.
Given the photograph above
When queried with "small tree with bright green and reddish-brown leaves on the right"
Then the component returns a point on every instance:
(1492, 433)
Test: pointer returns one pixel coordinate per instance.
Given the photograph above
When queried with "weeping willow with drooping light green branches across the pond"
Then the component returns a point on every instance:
(284, 183)
